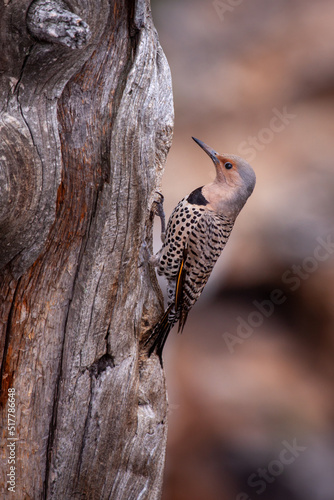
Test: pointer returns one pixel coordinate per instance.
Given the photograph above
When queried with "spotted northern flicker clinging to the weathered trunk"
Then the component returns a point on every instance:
(197, 232)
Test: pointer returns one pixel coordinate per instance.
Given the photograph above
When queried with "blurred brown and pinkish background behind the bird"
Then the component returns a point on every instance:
(251, 380)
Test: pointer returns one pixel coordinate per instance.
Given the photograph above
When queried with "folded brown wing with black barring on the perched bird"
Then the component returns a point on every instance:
(204, 245)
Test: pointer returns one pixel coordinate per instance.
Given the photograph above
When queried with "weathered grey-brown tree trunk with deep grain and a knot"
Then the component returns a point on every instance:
(86, 124)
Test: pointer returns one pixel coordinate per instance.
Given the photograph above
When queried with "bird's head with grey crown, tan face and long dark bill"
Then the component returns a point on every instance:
(234, 182)
